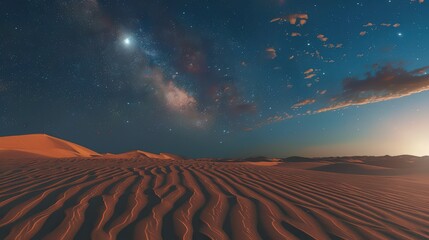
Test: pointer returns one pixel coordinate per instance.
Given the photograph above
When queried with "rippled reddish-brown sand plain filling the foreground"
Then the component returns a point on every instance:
(143, 198)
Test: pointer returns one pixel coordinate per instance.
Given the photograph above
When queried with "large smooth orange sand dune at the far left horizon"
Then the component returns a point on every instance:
(40, 145)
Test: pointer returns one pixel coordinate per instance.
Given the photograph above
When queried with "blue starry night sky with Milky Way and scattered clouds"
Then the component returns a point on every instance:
(218, 78)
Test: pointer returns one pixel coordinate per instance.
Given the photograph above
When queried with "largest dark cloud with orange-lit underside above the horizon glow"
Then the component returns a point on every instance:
(386, 84)
